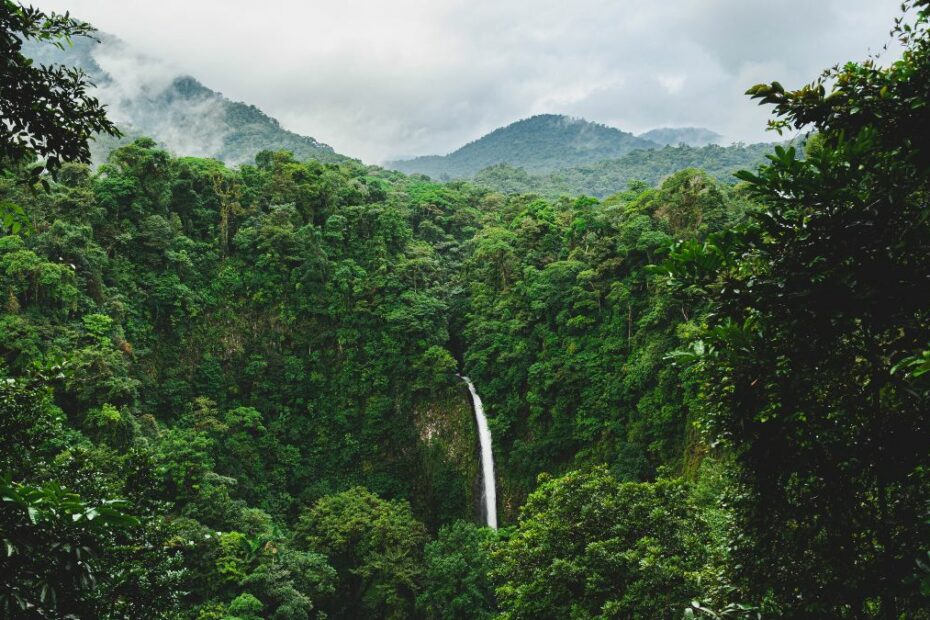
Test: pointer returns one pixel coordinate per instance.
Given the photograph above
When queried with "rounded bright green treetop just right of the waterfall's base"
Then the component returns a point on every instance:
(589, 546)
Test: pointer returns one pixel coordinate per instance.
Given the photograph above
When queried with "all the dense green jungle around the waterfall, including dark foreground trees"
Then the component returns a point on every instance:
(234, 393)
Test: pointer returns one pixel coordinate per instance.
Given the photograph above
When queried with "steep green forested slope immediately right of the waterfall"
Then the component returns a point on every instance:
(567, 333)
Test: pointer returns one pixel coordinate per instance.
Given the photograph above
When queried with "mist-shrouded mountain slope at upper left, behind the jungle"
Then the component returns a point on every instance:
(147, 97)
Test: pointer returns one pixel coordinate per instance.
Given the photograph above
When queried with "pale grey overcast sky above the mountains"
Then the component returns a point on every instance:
(380, 79)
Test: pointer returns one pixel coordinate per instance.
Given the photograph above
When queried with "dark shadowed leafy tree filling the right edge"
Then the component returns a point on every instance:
(818, 308)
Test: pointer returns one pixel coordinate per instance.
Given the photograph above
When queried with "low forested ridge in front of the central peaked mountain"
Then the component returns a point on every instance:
(610, 176)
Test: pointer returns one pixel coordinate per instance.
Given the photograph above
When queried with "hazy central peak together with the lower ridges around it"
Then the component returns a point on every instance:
(555, 156)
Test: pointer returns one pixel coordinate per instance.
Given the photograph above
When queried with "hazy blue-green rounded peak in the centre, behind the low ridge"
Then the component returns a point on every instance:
(537, 144)
